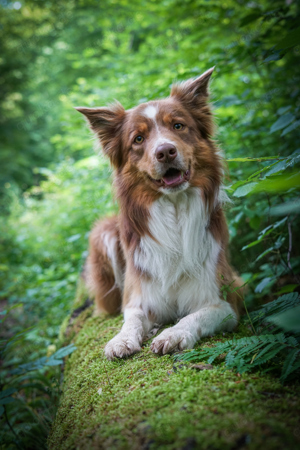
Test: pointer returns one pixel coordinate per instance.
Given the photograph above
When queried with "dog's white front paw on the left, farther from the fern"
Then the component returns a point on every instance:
(122, 345)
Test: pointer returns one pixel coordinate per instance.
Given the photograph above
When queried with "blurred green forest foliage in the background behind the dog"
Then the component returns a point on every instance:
(57, 55)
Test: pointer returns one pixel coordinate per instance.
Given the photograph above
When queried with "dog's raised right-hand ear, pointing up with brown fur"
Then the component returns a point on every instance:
(193, 93)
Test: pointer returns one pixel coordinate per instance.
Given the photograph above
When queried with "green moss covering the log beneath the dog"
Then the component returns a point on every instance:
(149, 402)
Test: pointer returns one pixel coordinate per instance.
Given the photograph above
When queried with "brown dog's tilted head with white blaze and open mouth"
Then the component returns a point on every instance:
(164, 145)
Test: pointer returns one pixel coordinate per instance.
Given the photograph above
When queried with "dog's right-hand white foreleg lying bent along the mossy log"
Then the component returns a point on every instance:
(204, 322)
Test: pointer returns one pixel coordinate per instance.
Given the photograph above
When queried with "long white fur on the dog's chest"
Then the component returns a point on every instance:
(181, 261)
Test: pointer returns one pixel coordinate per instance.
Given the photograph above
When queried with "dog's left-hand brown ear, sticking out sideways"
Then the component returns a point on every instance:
(107, 123)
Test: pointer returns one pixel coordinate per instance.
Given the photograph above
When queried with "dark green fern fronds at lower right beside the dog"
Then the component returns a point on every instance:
(267, 351)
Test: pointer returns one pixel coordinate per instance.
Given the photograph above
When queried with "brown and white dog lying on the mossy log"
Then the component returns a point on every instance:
(163, 259)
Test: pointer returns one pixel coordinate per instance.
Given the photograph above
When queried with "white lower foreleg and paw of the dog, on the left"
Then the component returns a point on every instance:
(131, 336)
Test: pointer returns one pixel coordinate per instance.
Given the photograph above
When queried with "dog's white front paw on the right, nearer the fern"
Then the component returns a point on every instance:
(171, 340)
